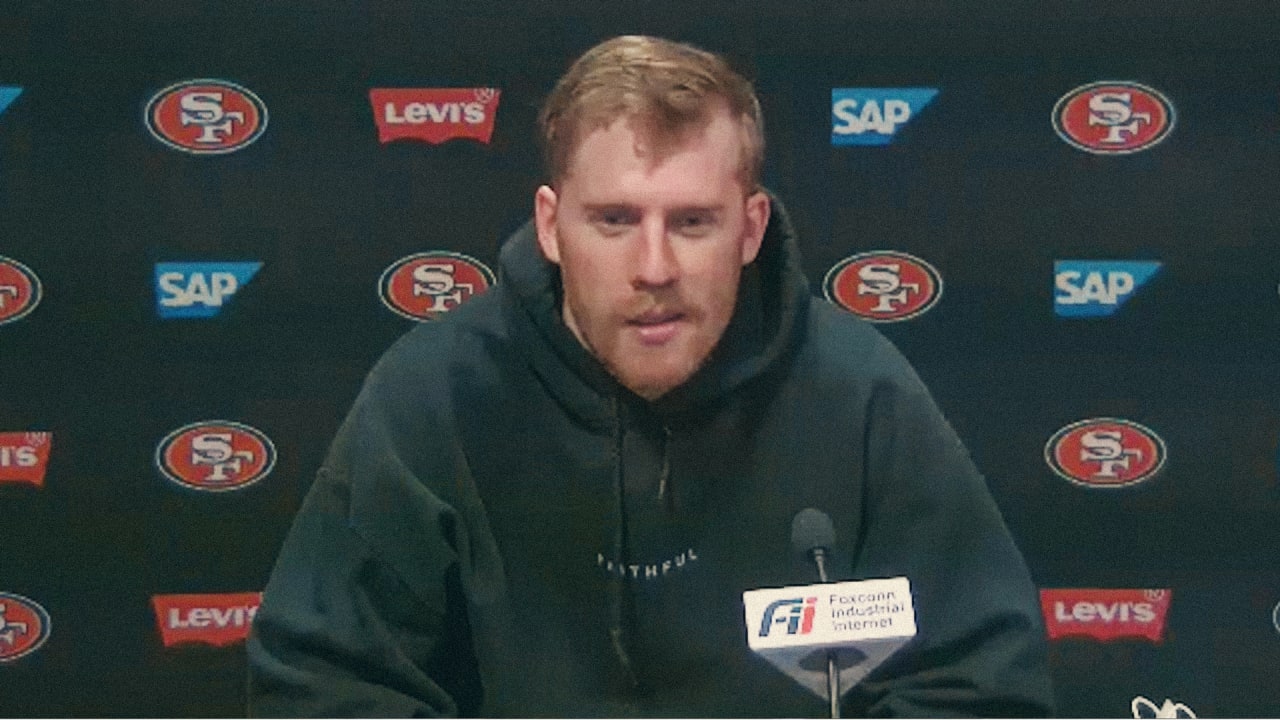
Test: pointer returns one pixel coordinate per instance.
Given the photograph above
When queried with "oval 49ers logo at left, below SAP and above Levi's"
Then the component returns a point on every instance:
(216, 455)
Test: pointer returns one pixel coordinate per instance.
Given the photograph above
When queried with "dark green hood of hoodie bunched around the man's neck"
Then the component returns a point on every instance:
(770, 313)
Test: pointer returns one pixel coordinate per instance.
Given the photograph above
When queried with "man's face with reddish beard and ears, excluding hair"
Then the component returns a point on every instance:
(651, 248)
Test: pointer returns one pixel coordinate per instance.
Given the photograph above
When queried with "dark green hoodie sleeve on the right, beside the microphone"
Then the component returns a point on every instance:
(981, 648)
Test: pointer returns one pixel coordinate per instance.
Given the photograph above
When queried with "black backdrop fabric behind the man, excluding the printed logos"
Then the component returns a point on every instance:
(979, 185)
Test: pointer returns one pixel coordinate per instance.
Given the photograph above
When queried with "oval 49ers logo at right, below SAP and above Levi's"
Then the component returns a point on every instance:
(1105, 453)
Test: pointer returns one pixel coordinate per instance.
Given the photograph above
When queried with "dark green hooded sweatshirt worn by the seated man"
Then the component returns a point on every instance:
(501, 528)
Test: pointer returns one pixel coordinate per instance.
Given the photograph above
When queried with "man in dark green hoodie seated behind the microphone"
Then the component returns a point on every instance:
(551, 502)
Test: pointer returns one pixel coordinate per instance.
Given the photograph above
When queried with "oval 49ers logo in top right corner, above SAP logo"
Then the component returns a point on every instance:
(1113, 119)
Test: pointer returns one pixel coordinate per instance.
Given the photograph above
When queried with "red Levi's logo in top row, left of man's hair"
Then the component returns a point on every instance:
(435, 116)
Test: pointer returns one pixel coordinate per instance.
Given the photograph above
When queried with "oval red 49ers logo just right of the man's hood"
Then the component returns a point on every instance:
(884, 286)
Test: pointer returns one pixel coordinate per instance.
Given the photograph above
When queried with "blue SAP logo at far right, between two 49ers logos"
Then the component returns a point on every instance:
(1095, 289)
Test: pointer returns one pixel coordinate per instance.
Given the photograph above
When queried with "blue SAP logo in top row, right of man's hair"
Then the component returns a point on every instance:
(872, 116)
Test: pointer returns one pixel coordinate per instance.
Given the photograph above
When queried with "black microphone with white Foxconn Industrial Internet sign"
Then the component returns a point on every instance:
(828, 636)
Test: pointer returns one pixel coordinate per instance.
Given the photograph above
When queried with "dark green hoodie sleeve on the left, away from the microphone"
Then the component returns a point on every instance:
(364, 614)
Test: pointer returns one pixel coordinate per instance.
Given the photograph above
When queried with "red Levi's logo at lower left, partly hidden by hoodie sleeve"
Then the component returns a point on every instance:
(211, 619)
